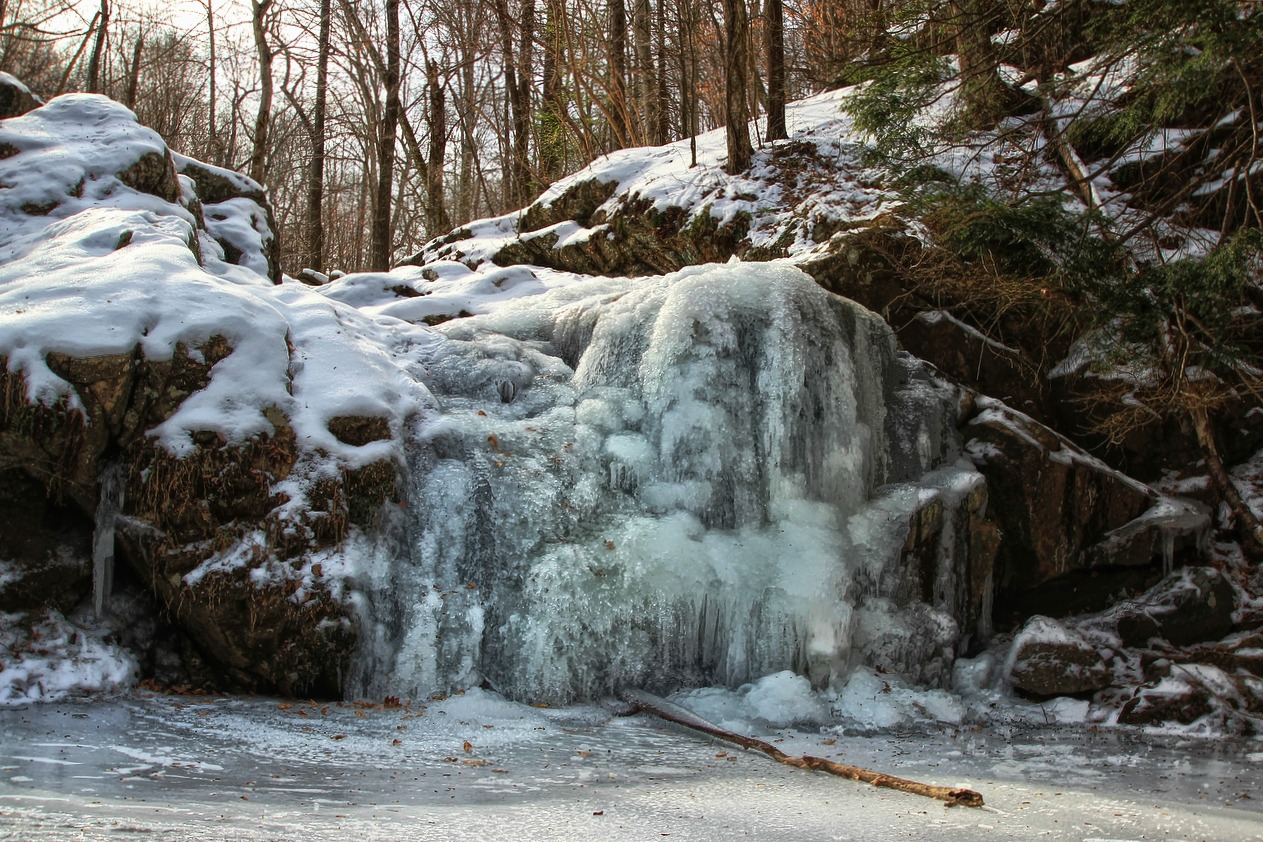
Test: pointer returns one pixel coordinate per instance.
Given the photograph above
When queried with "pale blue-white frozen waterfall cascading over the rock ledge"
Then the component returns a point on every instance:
(675, 482)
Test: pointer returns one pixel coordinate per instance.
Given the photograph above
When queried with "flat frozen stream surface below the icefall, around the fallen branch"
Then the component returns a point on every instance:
(476, 767)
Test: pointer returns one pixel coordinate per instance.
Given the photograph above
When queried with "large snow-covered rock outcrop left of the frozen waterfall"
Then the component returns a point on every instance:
(230, 518)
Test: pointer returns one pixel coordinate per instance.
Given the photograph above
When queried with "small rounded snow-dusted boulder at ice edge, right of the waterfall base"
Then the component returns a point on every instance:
(1049, 660)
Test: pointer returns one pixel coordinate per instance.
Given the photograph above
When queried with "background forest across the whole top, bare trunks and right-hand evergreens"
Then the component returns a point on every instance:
(381, 124)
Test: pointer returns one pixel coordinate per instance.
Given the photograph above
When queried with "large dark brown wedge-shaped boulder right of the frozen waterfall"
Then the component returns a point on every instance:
(1074, 531)
